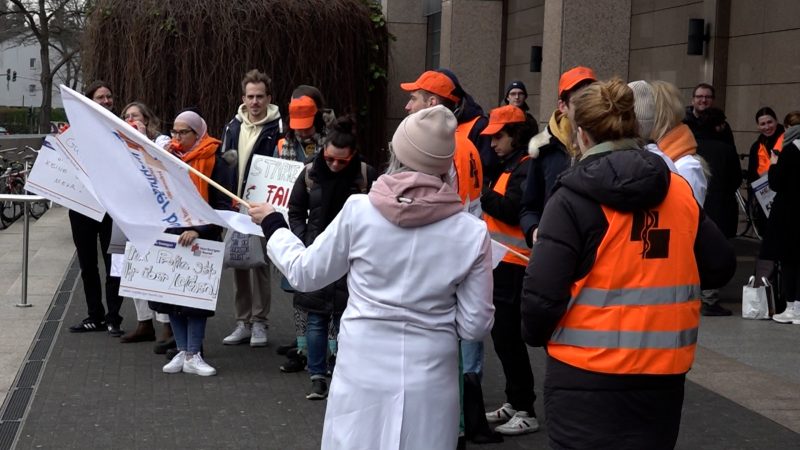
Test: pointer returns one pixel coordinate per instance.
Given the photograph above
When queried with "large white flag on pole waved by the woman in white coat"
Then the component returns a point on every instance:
(143, 187)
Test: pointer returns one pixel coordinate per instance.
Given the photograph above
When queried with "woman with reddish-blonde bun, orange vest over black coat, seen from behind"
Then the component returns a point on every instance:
(613, 286)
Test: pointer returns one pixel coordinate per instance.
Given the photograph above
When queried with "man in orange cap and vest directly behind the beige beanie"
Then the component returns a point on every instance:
(436, 88)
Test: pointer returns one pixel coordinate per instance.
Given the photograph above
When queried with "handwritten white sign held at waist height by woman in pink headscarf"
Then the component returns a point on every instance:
(171, 273)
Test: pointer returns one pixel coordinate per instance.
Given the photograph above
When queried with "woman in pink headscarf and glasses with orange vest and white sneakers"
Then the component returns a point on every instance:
(192, 144)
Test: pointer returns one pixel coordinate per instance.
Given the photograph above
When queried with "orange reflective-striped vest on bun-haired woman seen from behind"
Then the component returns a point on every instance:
(638, 309)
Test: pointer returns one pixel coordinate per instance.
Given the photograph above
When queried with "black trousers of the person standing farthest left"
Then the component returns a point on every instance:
(85, 234)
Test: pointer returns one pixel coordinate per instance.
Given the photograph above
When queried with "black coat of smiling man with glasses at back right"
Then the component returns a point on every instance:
(726, 177)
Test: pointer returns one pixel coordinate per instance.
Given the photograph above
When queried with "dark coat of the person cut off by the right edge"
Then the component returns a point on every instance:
(784, 217)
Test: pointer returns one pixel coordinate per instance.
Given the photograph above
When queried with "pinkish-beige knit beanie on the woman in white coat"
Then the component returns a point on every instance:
(425, 141)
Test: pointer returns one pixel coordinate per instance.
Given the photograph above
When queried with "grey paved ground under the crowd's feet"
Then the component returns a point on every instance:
(93, 392)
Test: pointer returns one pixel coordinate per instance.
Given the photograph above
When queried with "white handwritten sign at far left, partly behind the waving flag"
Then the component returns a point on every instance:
(54, 176)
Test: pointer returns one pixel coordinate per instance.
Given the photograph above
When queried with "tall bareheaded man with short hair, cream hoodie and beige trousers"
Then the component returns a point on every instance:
(253, 131)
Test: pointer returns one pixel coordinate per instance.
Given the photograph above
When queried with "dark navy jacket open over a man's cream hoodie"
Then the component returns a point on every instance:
(228, 174)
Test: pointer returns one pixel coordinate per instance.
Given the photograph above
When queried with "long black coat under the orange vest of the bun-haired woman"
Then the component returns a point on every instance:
(573, 225)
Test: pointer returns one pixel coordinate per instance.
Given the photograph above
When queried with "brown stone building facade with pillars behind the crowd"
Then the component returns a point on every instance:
(749, 55)
